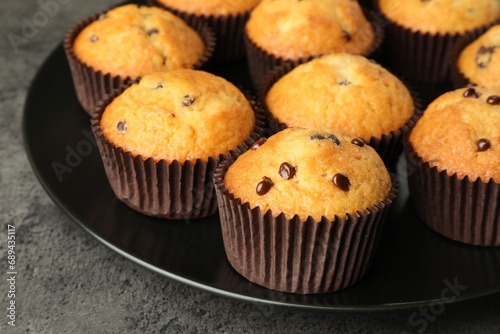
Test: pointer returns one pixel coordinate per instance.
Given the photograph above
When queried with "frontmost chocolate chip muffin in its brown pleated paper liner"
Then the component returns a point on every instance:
(302, 212)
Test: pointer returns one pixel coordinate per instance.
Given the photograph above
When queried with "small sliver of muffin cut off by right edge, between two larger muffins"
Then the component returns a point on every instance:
(479, 62)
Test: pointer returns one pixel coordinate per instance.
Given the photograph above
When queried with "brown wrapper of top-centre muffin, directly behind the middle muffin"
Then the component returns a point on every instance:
(261, 62)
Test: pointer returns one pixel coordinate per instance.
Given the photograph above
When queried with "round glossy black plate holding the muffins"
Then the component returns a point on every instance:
(413, 266)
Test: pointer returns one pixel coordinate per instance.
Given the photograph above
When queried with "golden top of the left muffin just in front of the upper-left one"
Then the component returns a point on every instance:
(181, 115)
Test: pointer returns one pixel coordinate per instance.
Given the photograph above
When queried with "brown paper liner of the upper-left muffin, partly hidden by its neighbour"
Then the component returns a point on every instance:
(92, 86)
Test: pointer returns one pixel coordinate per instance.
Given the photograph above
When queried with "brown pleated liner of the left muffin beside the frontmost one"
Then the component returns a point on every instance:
(176, 190)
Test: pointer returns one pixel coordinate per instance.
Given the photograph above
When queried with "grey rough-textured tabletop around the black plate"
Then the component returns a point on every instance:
(67, 282)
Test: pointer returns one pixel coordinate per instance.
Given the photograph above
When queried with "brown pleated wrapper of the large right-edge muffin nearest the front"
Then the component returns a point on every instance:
(460, 209)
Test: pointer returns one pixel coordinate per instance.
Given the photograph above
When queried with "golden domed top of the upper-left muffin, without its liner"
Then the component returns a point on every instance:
(155, 40)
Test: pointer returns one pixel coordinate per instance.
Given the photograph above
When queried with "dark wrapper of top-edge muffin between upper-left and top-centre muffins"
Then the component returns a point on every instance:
(227, 29)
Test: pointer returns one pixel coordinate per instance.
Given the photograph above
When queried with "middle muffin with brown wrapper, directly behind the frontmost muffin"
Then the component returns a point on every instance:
(348, 92)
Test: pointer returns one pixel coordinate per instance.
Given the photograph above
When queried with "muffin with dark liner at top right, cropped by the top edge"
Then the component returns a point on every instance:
(421, 35)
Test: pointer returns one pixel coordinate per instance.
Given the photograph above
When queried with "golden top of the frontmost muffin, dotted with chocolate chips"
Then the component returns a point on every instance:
(309, 172)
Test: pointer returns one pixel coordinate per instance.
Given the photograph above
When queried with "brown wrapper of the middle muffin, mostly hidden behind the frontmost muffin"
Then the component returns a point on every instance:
(388, 146)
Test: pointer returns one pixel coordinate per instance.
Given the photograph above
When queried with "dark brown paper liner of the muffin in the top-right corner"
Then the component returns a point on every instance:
(423, 57)
